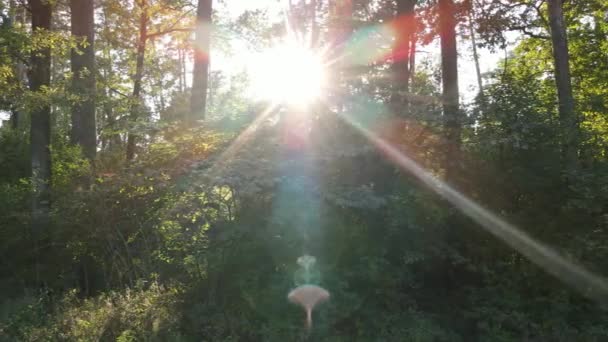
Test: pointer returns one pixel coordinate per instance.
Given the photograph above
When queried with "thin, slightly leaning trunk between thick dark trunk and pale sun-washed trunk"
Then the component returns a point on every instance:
(136, 106)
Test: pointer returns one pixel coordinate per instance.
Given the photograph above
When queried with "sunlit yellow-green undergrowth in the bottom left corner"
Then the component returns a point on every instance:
(143, 314)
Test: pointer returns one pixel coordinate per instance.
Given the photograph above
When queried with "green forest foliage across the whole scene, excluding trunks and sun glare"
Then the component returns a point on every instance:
(198, 237)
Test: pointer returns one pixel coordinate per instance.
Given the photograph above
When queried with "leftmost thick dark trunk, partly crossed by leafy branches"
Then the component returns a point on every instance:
(40, 130)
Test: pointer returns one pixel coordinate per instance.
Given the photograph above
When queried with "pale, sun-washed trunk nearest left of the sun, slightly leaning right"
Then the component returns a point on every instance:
(200, 75)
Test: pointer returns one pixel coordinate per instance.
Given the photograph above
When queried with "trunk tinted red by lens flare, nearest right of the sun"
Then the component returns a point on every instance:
(403, 25)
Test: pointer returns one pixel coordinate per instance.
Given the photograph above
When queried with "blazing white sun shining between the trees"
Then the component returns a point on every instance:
(287, 73)
